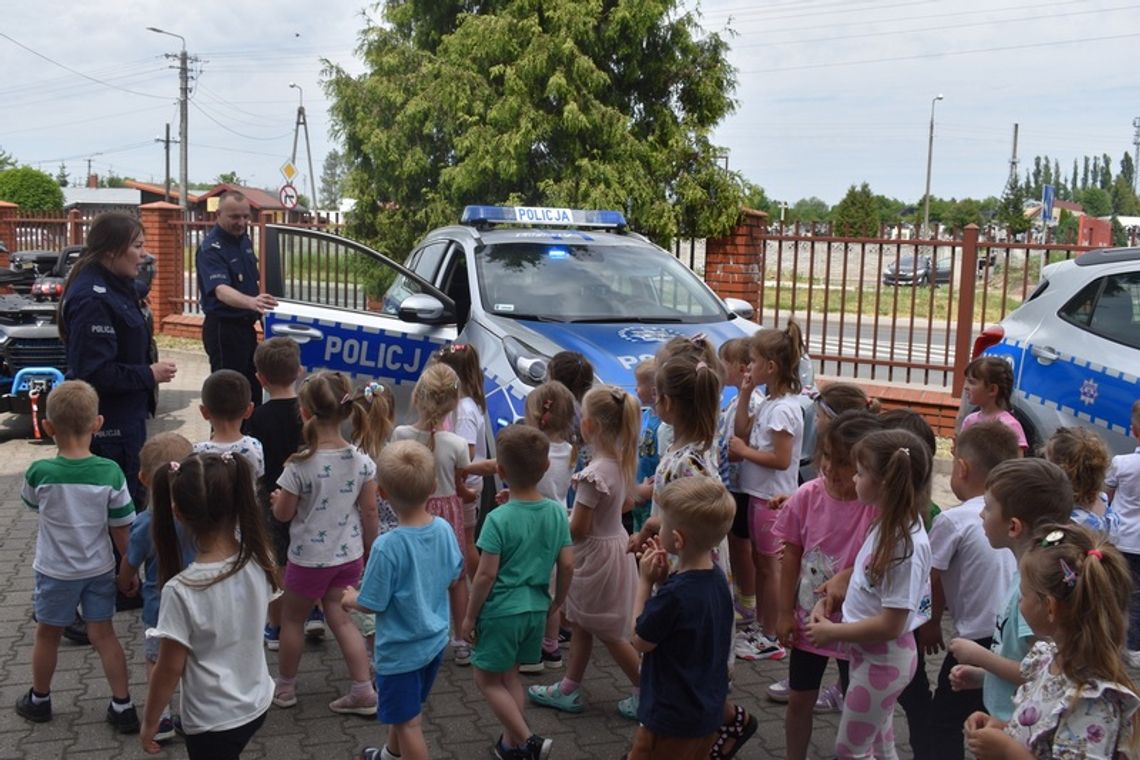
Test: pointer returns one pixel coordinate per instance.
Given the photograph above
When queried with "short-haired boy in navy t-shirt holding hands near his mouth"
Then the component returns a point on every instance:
(685, 631)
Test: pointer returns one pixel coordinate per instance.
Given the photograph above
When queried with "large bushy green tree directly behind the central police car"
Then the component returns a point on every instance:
(599, 104)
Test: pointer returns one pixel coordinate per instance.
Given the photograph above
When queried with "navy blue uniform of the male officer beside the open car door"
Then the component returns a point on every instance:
(229, 334)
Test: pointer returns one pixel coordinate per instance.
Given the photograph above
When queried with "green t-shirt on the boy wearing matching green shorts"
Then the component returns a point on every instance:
(527, 537)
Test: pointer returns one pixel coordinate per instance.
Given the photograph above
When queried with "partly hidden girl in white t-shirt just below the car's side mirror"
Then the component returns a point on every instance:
(470, 426)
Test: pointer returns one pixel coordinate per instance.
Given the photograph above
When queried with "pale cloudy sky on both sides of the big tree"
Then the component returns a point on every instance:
(829, 93)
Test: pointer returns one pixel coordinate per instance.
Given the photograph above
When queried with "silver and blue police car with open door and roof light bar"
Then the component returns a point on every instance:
(519, 284)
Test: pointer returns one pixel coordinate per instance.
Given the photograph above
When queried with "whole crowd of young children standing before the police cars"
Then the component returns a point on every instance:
(674, 532)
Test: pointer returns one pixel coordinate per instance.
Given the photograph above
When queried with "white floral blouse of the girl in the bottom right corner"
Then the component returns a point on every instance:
(1057, 718)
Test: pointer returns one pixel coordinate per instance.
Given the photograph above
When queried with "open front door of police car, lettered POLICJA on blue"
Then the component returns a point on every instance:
(354, 310)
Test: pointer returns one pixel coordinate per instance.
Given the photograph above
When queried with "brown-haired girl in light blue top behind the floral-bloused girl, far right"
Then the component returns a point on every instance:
(1085, 459)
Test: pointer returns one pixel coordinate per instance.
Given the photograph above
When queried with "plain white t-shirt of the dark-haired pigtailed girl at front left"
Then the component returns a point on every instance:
(226, 683)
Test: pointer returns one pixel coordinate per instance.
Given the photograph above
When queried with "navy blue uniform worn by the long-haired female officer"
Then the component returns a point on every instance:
(109, 346)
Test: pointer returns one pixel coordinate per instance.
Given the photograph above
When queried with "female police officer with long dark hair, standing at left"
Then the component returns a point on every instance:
(109, 341)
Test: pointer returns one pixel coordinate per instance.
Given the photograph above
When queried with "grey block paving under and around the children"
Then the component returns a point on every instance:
(458, 723)
